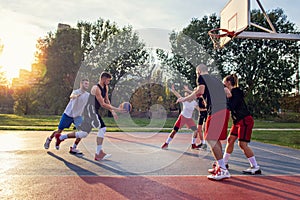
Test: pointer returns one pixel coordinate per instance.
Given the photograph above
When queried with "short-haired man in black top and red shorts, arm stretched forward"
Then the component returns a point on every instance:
(212, 90)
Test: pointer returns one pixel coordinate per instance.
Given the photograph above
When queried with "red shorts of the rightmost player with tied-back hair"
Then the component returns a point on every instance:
(243, 129)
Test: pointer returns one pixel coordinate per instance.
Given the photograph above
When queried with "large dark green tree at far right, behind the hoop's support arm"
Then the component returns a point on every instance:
(265, 67)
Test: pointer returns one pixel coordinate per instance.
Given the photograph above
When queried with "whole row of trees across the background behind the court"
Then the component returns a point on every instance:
(266, 68)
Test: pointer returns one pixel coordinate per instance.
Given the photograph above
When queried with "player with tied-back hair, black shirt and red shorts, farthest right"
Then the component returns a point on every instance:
(242, 125)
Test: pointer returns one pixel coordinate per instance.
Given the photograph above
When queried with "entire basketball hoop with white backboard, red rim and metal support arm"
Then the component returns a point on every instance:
(235, 19)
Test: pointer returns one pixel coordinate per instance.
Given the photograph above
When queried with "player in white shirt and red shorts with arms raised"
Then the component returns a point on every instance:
(185, 118)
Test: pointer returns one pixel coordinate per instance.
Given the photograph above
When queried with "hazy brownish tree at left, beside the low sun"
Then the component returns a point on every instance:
(62, 55)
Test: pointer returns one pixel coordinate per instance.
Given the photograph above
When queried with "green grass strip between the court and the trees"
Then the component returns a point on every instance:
(50, 123)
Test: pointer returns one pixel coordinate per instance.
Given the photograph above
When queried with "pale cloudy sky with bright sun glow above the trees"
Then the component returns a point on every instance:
(23, 22)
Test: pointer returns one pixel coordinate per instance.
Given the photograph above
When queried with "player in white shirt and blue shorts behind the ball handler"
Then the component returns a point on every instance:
(72, 114)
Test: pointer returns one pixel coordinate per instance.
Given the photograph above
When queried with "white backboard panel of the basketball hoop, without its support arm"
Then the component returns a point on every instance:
(235, 16)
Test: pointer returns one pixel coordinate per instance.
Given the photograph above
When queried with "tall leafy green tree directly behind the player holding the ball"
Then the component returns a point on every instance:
(116, 50)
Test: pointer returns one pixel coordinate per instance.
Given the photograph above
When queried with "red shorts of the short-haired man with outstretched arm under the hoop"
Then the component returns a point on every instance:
(216, 125)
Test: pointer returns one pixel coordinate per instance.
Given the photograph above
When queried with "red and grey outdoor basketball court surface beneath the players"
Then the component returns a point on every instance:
(138, 169)
